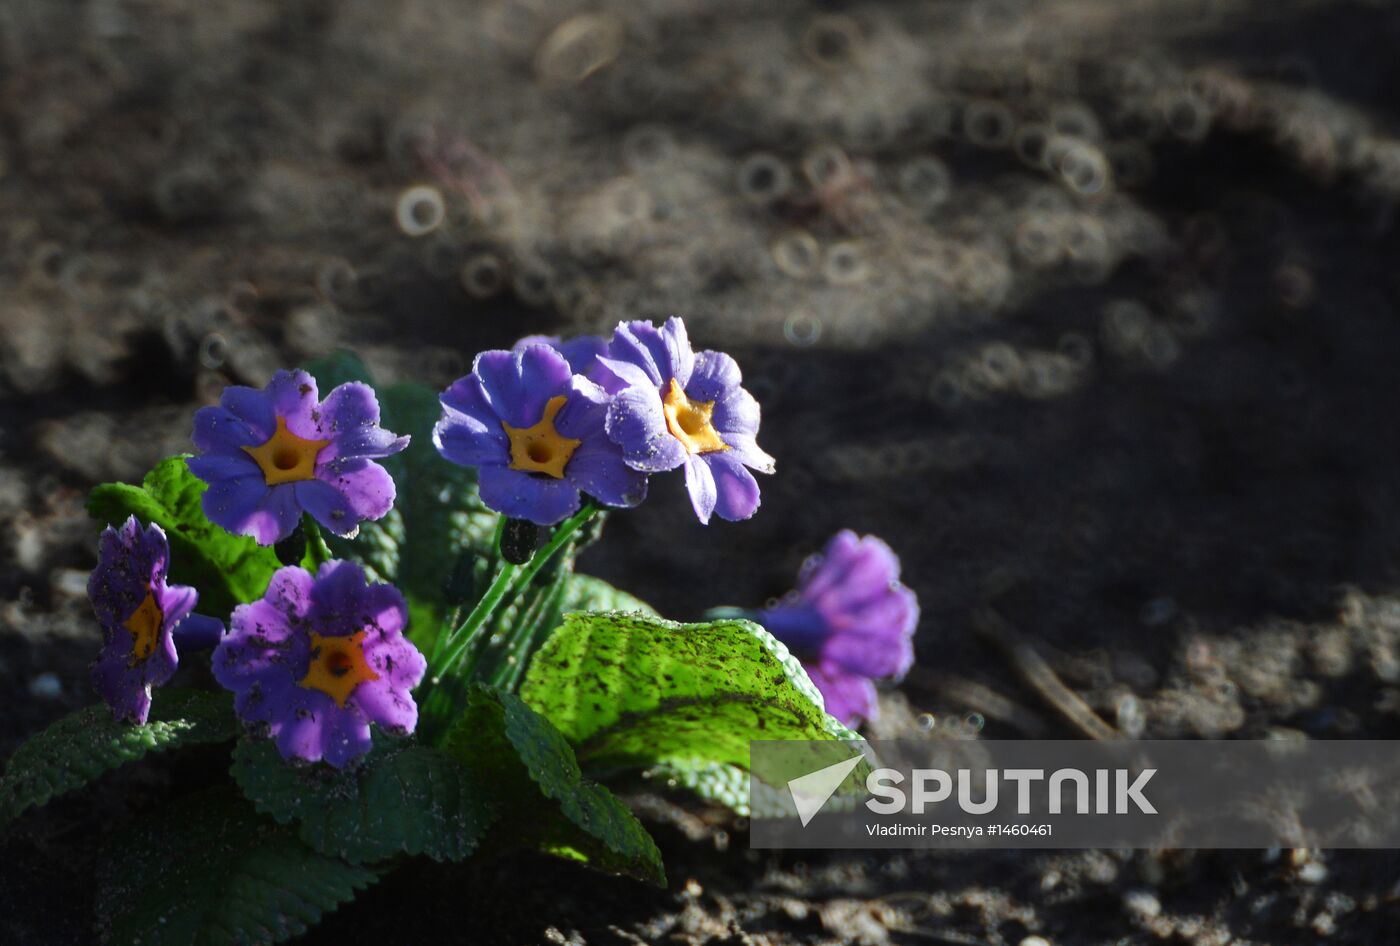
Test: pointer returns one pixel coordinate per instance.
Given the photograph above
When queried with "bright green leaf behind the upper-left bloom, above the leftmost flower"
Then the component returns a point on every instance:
(226, 569)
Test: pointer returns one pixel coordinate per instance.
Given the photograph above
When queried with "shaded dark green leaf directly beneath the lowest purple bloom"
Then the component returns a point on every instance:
(401, 800)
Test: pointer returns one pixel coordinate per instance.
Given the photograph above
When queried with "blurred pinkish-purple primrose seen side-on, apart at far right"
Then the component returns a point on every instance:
(850, 622)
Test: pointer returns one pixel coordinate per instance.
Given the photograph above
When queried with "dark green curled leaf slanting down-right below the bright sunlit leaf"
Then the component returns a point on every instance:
(545, 801)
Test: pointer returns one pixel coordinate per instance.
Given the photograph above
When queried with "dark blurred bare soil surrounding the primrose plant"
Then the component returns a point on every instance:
(1136, 398)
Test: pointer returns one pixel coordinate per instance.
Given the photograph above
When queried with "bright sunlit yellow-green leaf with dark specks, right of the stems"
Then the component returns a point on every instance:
(636, 691)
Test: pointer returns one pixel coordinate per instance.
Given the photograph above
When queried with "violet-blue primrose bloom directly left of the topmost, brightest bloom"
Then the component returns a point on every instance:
(537, 432)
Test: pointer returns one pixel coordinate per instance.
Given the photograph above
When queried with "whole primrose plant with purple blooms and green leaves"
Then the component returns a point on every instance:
(400, 650)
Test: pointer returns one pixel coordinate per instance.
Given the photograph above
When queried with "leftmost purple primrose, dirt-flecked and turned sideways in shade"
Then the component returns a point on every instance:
(139, 614)
